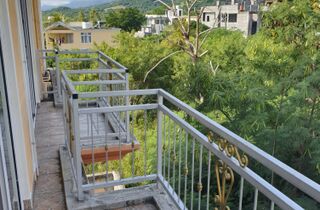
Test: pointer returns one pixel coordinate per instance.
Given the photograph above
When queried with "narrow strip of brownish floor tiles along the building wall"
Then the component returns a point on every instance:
(49, 192)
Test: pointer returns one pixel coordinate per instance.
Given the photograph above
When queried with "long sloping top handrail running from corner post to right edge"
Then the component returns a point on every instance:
(294, 177)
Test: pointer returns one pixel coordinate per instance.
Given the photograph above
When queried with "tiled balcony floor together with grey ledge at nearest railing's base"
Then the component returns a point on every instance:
(52, 188)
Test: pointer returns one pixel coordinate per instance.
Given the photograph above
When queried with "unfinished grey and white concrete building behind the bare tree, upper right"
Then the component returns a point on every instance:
(241, 16)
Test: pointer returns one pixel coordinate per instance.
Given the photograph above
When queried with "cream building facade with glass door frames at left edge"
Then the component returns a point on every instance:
(20, 40)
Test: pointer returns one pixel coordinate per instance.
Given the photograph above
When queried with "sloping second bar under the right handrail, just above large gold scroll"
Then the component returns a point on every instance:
(269, 191)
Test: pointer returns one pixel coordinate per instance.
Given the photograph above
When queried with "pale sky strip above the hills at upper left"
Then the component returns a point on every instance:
(49, 4)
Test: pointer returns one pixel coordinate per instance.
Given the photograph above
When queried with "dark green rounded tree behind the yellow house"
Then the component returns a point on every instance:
(128, 19)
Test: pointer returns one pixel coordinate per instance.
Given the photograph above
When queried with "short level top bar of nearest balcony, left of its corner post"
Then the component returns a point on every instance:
(119, 93)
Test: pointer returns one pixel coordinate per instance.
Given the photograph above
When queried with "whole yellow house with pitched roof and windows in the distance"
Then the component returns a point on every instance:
(78, 35)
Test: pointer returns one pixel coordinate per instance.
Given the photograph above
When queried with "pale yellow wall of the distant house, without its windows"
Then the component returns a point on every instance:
(98, 36)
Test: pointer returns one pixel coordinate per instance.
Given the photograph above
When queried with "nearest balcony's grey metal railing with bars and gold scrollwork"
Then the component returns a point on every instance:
(151, 136)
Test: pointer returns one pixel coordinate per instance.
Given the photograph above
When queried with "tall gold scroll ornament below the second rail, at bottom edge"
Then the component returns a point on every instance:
(225, 182)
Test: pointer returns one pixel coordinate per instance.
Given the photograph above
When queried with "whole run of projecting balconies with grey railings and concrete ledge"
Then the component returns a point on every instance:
(147, 149)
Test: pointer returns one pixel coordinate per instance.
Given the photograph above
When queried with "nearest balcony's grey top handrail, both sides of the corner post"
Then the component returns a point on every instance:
(294, 177)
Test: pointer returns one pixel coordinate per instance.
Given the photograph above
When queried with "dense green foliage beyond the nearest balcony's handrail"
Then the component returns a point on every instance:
(265, 87)
